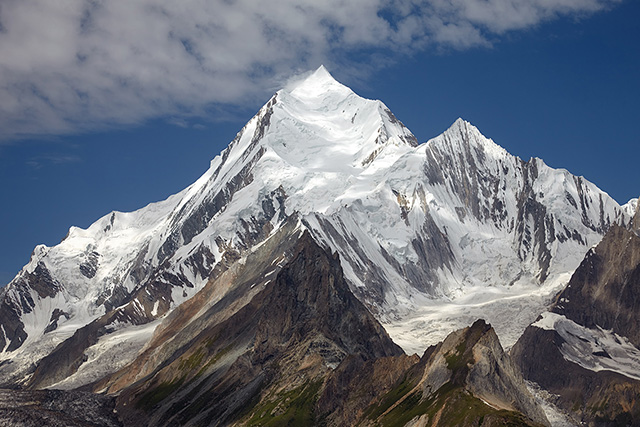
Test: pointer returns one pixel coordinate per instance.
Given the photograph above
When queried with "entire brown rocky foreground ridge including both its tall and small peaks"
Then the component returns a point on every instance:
(304, 351)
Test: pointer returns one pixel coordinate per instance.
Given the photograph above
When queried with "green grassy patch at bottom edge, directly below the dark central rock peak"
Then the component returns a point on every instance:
(292, 408)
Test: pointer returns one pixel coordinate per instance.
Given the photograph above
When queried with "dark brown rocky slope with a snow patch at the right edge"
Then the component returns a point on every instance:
(586, 349)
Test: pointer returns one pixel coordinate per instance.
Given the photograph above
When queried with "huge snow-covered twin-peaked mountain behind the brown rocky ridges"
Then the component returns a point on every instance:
(419, 230)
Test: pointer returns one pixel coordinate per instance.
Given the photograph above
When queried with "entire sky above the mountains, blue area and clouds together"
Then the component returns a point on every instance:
(101, 113)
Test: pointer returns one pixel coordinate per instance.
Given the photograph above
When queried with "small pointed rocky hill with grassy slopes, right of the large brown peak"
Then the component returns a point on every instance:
(465, 380)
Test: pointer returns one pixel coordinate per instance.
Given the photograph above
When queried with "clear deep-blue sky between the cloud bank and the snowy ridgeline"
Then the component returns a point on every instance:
(562, 91)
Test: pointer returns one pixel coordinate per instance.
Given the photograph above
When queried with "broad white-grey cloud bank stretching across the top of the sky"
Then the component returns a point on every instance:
(73, 65)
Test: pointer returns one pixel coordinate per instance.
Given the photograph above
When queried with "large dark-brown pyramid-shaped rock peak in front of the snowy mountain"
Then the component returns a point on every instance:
(299, 326)
